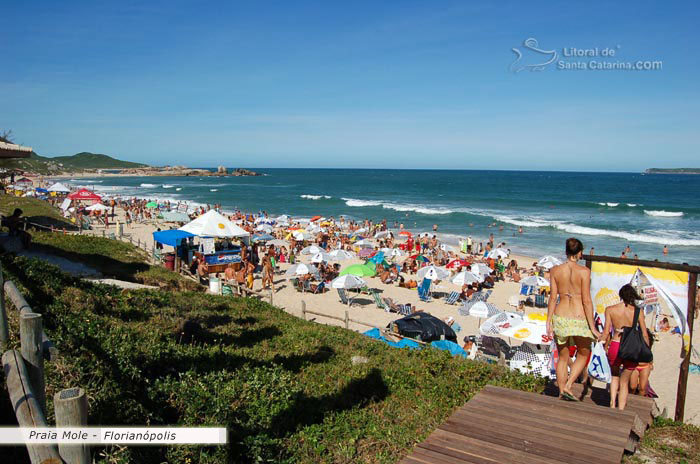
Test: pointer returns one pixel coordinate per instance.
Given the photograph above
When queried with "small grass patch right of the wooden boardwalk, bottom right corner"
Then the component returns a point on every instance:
(669, 441)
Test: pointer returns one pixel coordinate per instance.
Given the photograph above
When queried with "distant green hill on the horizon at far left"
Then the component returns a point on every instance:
(78, 162)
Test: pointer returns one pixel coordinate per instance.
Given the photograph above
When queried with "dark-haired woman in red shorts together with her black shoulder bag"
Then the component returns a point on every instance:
(627, 341)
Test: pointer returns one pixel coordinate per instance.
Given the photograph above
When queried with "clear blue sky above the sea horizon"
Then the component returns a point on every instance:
(412, 84)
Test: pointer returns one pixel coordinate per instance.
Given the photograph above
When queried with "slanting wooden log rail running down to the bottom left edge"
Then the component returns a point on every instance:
(26, 407)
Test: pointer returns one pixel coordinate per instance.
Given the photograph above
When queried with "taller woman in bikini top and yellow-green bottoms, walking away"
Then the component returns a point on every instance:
(570, 316)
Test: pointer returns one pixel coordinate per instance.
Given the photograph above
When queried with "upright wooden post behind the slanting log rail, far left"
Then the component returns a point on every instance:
(32, 352)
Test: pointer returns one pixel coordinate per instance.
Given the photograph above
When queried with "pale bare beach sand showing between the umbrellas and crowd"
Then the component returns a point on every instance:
(664, 377)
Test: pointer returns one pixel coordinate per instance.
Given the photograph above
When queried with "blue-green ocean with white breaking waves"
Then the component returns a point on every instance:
(607, 211)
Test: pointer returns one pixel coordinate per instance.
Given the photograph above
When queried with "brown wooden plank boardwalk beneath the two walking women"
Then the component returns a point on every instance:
(500, 425)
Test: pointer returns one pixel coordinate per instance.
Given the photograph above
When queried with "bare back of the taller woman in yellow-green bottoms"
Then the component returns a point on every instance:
(571, 283)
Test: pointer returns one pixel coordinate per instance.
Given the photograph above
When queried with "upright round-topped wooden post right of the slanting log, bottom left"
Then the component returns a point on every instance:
(70, 406)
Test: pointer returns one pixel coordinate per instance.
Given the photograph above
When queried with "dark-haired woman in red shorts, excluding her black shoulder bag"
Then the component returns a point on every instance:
(617, 317)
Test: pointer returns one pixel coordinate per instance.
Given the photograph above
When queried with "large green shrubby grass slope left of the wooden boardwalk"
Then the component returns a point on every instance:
(286, 389)
